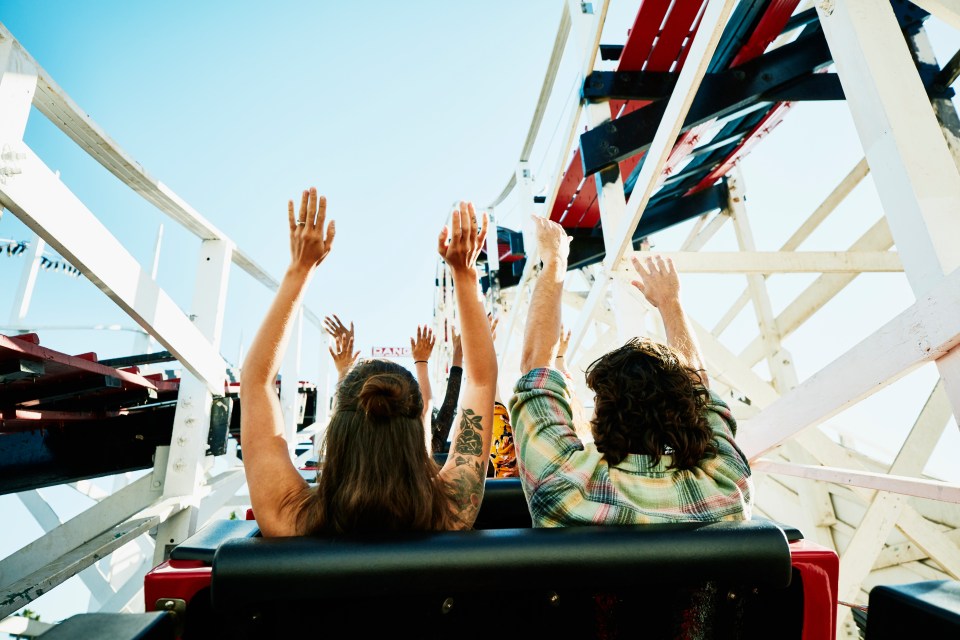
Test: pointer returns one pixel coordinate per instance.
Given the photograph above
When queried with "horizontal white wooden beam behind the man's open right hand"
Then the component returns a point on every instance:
(767, 262)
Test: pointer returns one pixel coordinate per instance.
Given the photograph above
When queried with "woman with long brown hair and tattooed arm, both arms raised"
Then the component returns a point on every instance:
(377, 473)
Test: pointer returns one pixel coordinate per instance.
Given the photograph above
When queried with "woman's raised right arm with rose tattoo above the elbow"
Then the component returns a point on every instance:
(466, 465)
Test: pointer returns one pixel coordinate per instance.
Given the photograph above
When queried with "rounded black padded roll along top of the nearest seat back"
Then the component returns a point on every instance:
(263, 570)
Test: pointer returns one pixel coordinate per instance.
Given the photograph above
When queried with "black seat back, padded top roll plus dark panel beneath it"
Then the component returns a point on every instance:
(543, 582)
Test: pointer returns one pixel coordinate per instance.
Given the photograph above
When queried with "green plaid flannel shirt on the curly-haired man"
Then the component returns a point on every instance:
(569, 483)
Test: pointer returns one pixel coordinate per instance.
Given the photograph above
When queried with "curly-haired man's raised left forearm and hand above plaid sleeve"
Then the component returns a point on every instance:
(542, 332)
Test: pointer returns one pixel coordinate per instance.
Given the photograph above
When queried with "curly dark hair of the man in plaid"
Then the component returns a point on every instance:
(649, 400)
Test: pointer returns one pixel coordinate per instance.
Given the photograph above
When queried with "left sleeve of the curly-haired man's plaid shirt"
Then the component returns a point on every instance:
(542, 424)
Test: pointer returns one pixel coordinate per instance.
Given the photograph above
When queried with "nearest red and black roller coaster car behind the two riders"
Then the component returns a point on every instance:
(723, 580)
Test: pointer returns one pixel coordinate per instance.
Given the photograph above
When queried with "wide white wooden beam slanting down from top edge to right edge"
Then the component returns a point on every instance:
(913, 169)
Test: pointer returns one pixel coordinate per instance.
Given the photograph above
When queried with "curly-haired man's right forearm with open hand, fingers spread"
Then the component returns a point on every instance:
(657, 279)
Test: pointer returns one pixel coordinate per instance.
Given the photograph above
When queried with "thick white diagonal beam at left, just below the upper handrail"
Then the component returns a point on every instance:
(48, 207)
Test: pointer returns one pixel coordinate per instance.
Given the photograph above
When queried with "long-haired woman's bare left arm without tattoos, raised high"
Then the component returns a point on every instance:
(276, 488)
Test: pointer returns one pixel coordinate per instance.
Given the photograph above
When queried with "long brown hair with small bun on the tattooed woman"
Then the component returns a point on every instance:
(377, 475)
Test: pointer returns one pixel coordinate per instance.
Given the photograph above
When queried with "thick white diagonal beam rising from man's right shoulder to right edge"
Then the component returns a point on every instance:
(927, 330)
